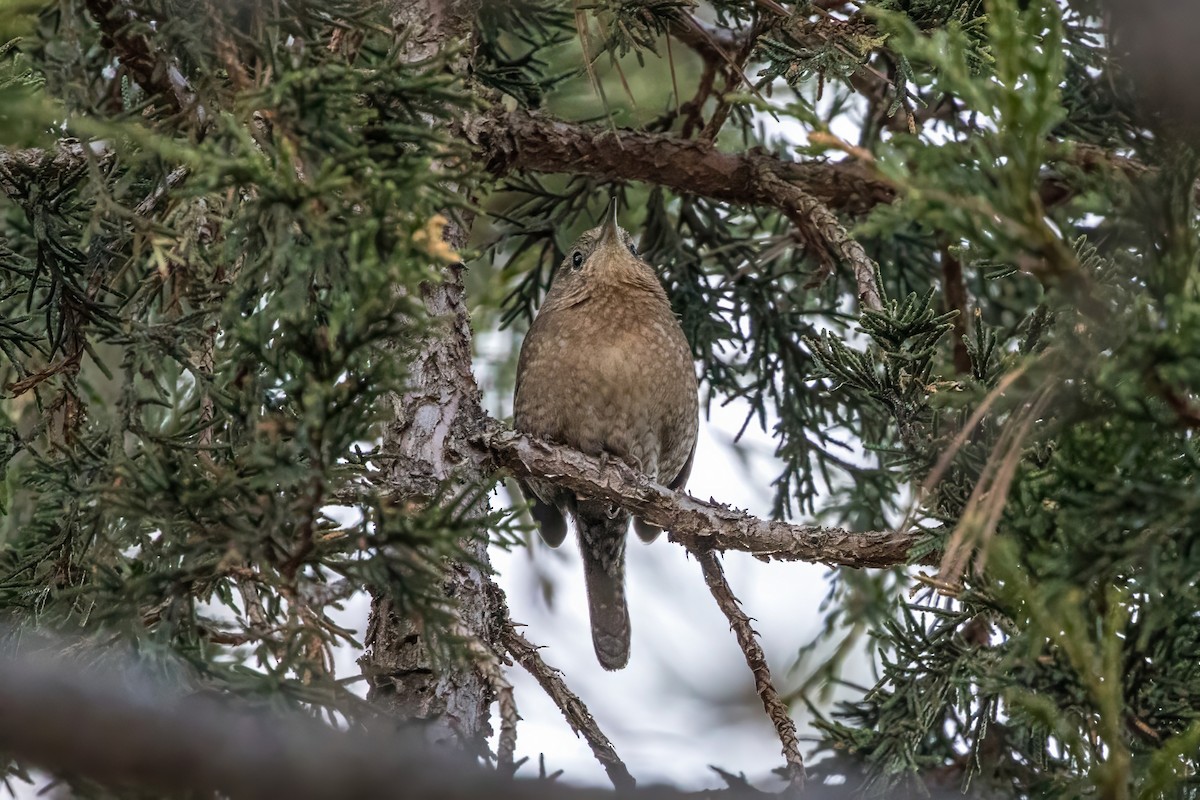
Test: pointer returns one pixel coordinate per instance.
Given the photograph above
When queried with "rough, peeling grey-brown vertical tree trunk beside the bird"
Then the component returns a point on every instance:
(429, 444)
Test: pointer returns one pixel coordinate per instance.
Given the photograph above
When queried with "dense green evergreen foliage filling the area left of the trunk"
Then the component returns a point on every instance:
(200, 327)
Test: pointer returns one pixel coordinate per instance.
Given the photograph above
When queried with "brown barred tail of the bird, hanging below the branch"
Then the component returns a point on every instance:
(603, 546)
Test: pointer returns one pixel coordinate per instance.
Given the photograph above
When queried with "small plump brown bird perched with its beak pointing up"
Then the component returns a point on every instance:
(607, 370)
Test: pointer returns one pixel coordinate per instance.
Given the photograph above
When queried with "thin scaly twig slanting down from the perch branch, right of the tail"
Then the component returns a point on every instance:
(715, 576)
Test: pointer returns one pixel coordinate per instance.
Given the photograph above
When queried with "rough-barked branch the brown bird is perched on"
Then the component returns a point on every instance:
(691, 521)
